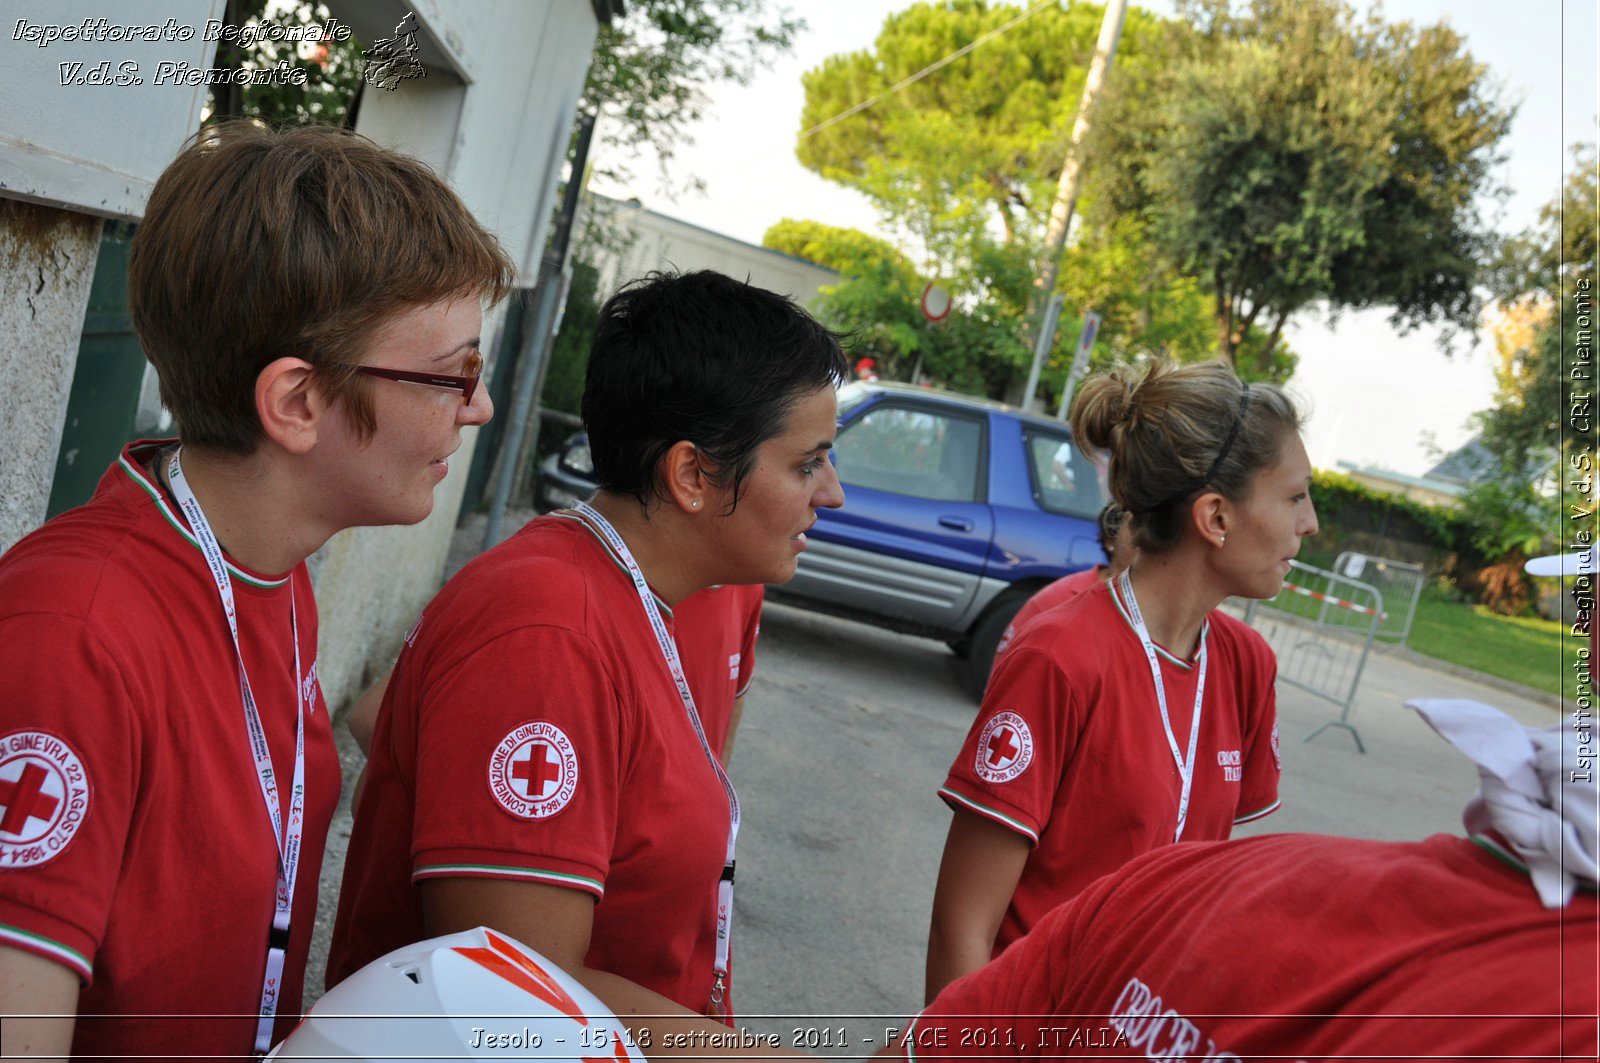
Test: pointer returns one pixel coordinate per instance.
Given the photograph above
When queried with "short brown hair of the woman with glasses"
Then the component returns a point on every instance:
(263, 244)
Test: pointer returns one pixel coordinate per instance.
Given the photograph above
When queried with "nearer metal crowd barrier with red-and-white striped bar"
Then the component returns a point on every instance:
(1322, 628)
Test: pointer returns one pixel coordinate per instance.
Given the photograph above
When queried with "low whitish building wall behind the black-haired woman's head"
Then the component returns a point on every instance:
(660, 243)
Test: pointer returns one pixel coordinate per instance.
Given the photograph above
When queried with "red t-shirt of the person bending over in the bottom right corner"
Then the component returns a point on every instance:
(1289, 947)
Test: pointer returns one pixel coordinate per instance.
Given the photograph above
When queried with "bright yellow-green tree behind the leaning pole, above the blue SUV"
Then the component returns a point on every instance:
(962, 167)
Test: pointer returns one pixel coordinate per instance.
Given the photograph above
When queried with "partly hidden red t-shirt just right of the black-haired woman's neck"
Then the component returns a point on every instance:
(716, 633)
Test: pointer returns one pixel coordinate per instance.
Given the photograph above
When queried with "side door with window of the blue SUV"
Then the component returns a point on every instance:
(913, 539)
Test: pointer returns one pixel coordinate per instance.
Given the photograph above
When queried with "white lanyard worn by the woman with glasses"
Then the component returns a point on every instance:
(287, 838)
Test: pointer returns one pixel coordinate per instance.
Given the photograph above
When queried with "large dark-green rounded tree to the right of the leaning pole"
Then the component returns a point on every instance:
(1292, 154)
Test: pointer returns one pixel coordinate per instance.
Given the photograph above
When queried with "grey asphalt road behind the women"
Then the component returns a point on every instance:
(849, 732)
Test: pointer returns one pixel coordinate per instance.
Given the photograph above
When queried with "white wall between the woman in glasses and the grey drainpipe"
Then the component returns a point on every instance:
(494, 119)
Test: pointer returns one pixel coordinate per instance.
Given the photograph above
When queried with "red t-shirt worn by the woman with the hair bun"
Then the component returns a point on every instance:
(1070, 750)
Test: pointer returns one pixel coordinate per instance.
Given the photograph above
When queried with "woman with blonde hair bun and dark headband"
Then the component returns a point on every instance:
(1135, 715)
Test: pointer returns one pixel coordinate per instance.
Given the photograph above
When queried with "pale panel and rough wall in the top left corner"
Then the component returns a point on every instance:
(70, 158)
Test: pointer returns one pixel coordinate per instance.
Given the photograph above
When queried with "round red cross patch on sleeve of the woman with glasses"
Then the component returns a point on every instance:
(44, 798)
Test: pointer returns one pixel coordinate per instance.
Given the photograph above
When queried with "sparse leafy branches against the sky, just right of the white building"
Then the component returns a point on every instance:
(652, 68)
